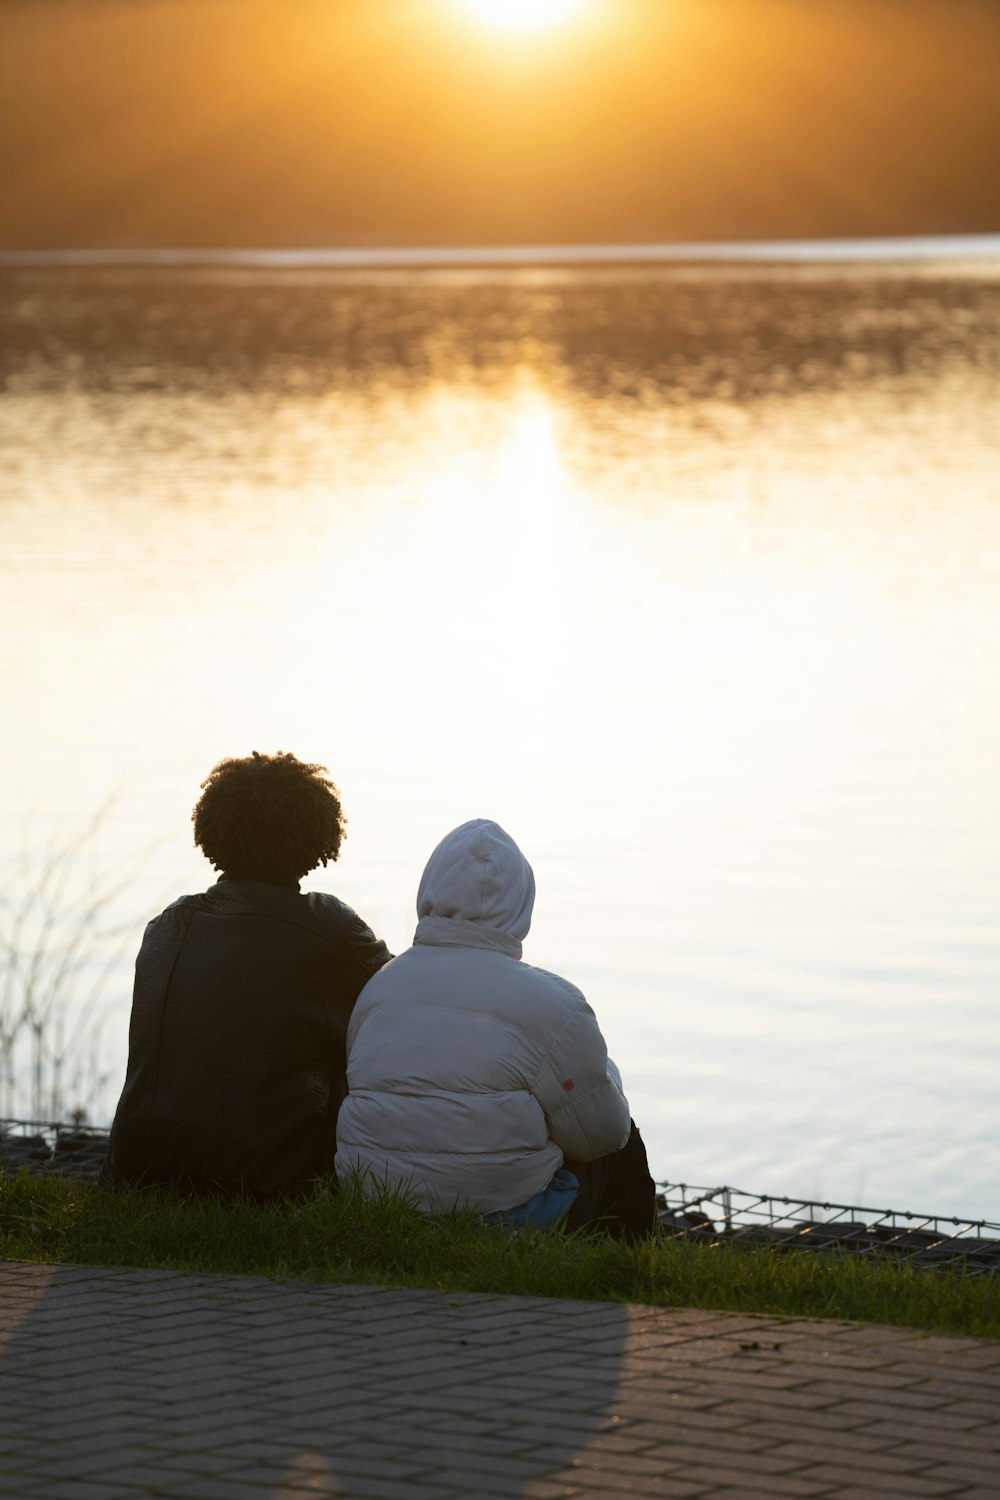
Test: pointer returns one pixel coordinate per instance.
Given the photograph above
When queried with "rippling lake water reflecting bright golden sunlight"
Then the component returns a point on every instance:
(689, 577)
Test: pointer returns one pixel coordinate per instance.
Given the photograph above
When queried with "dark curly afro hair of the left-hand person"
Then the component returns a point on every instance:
(269, 818)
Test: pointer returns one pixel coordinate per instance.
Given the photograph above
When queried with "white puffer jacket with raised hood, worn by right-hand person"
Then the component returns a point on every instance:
(472, 1075)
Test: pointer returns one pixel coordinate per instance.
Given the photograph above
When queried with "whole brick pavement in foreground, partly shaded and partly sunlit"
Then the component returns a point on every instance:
(119, 1384)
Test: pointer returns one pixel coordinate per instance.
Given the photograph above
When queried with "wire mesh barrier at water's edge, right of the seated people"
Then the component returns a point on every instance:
(732, 1217)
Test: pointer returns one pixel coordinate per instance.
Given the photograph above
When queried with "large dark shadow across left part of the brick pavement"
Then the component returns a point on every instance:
(118, 1382)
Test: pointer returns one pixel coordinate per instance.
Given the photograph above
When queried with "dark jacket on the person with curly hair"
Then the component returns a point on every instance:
(238, 1040)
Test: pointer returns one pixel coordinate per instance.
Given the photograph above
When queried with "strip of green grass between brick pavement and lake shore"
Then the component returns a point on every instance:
(338, 1237)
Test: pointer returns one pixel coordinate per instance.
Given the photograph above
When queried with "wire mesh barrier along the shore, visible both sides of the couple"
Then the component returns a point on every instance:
(704, 1216)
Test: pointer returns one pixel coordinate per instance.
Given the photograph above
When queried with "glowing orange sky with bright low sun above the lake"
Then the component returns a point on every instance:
(427, 122)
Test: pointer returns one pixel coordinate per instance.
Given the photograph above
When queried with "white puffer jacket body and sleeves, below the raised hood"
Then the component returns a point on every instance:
(449, 1063)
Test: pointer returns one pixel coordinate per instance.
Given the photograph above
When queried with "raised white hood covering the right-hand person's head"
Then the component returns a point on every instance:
(478, 890)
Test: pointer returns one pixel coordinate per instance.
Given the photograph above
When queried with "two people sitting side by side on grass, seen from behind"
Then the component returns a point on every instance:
(274, 1034)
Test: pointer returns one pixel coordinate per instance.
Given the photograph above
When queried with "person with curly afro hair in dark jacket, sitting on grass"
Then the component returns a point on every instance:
(244, 994)
